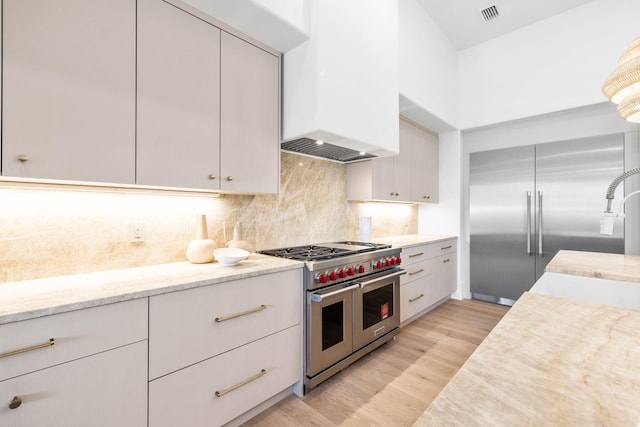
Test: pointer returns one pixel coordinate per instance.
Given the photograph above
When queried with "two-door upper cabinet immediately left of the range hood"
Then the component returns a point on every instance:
(208, 105)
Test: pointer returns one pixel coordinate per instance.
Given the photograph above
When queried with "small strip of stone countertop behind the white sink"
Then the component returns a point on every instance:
(596, 264)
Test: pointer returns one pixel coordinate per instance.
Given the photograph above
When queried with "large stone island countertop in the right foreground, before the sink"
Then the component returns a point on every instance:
(549, 361)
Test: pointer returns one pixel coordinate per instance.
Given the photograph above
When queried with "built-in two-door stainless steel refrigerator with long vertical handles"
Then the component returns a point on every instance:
(526, 203)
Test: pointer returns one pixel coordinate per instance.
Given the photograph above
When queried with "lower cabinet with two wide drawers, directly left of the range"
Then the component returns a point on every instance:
(218, 351)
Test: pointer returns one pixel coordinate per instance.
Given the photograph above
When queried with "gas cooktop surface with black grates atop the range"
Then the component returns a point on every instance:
(324, 251)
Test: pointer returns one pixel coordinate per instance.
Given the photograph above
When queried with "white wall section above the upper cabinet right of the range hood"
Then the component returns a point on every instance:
(428, 70)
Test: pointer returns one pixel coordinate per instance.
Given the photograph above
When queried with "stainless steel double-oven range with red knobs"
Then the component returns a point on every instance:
(352, 302)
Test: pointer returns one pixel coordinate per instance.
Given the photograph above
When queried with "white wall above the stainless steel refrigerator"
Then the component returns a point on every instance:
(555, 64)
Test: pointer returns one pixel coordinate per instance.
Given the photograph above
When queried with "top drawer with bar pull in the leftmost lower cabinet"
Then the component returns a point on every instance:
(75, 334)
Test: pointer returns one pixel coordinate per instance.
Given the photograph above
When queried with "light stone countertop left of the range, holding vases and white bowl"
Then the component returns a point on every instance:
(41, 297)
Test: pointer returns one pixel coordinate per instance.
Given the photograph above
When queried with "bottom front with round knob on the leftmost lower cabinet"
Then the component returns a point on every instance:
(106, 389)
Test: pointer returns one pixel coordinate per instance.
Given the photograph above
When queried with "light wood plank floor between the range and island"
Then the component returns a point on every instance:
(393, 385)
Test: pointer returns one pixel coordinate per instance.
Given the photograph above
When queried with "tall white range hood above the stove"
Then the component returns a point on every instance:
(341, 85)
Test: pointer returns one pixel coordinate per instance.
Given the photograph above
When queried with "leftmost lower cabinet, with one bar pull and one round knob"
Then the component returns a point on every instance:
(81, 368)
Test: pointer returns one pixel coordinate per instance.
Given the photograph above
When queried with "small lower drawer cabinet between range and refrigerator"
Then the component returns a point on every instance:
(430, 279)
